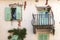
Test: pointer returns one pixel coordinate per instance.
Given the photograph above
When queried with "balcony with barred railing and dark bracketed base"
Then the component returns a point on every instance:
(43, 20)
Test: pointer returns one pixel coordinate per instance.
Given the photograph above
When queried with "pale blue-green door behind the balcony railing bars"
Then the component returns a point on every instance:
(43, 18)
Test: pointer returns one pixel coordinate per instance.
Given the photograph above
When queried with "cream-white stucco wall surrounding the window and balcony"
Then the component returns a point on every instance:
(27, 17)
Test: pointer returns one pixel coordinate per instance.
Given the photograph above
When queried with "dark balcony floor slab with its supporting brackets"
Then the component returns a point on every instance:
(44, 28)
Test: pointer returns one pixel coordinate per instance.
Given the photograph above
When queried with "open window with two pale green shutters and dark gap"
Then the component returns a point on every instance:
(13, 13)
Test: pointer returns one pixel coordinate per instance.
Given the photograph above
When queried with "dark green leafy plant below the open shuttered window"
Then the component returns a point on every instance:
(21, 33)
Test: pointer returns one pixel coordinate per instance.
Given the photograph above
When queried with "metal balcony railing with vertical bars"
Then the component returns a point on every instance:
(43, 19)
